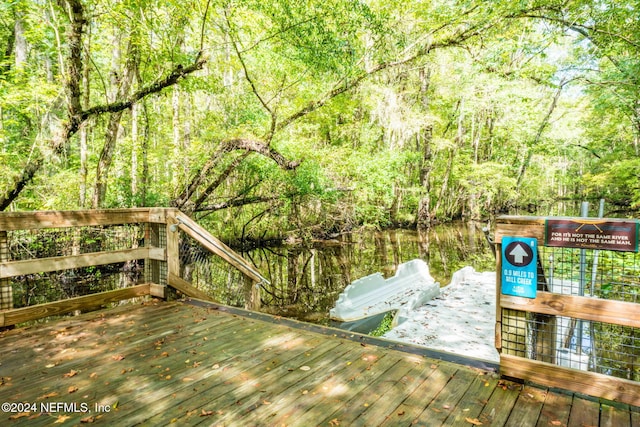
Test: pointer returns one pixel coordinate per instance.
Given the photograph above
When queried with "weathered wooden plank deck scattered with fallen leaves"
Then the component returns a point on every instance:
(175, 363)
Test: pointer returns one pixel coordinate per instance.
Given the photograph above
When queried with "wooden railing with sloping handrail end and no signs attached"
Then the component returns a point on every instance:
(151, 237)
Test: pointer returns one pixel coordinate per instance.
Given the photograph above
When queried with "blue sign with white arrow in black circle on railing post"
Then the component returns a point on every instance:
(519, 266)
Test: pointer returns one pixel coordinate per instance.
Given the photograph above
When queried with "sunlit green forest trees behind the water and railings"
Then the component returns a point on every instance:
(279, 118)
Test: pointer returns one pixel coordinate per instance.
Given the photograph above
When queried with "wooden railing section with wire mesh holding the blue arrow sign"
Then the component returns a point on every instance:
(570, 318)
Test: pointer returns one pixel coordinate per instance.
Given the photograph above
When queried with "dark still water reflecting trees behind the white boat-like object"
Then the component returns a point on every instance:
(306, 281)
